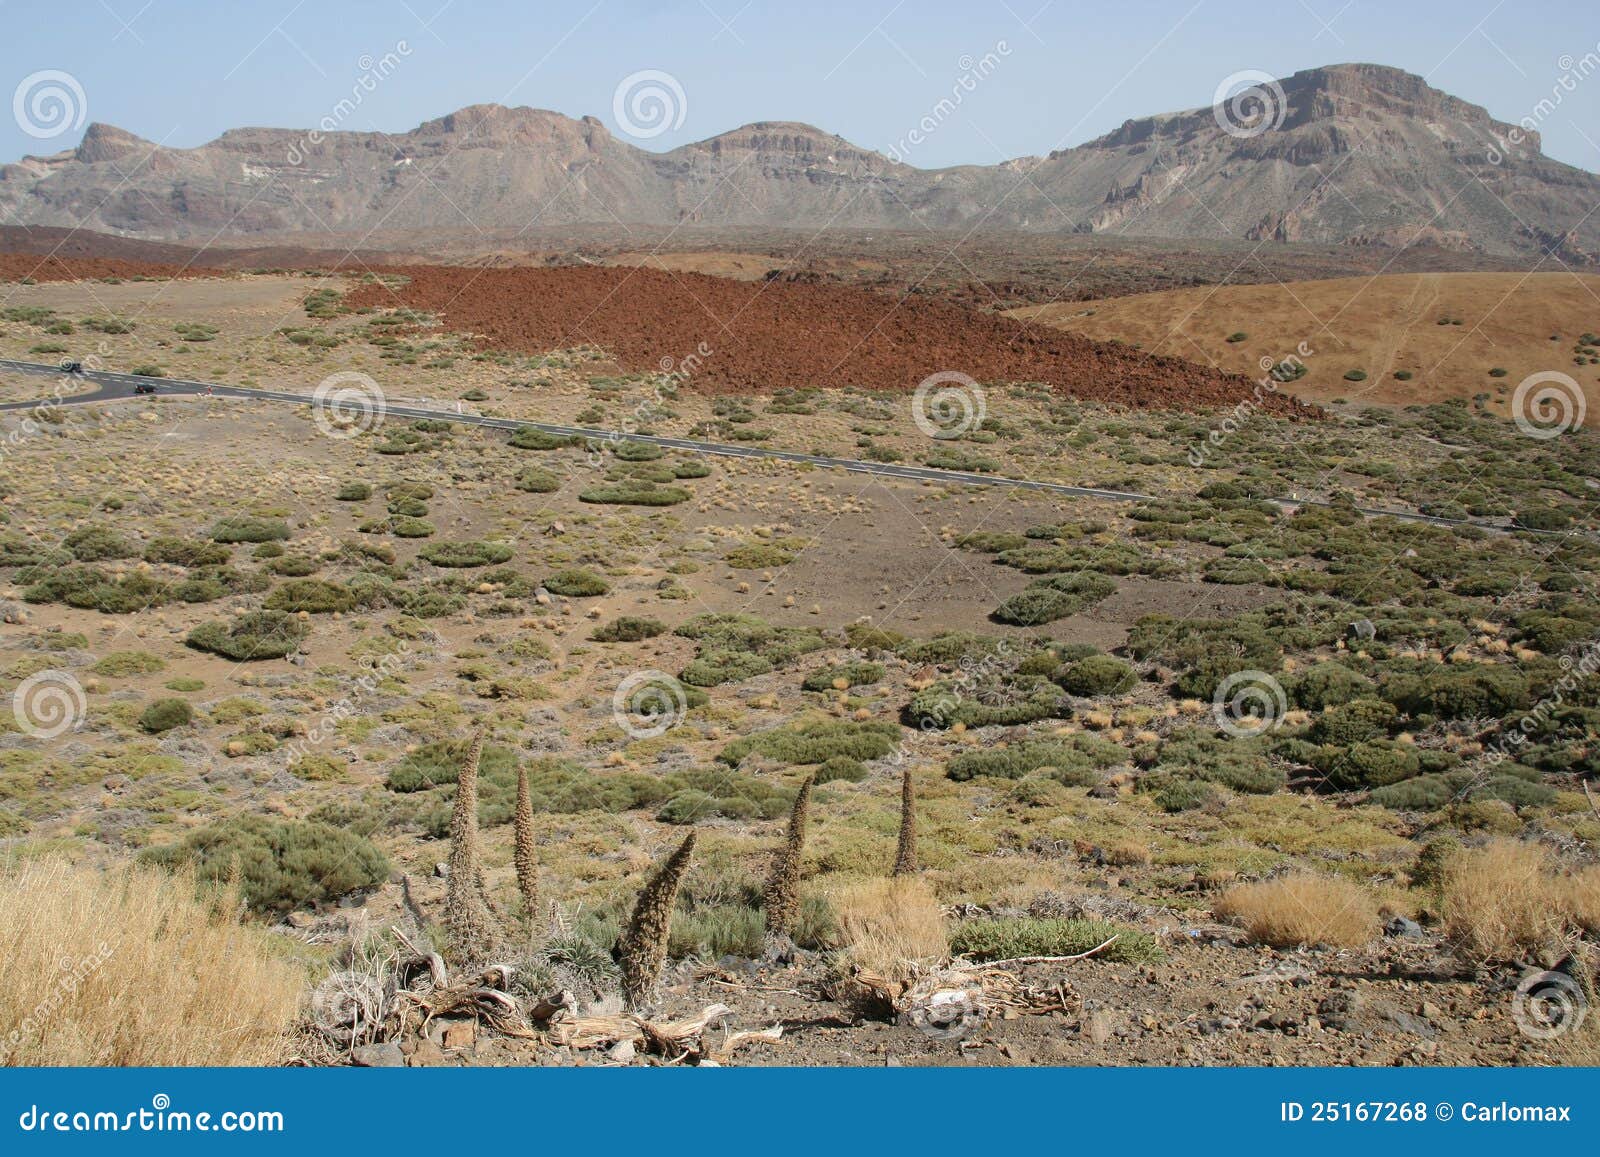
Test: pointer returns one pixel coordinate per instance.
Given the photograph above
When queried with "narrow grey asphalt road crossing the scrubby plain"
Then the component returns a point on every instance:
(119, 386)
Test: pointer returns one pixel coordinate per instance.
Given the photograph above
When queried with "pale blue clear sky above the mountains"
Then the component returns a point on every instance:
(182, 73)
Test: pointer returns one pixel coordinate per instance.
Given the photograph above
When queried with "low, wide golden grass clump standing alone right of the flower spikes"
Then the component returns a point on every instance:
(1302, 911)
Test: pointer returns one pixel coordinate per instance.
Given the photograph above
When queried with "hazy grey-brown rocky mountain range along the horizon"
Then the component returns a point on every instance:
(1353, 154)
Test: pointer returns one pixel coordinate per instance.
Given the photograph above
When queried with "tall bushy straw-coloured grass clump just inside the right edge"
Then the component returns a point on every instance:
(1505, 902)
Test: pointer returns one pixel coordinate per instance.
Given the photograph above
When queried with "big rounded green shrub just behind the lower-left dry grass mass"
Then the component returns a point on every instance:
(281, 863)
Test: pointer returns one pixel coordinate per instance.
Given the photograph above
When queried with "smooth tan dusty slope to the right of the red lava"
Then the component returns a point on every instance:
(1518, 322)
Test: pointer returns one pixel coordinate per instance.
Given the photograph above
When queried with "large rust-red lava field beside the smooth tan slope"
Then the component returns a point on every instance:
(774, 335)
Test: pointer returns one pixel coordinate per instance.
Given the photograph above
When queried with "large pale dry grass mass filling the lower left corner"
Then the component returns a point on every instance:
(130, 969)
